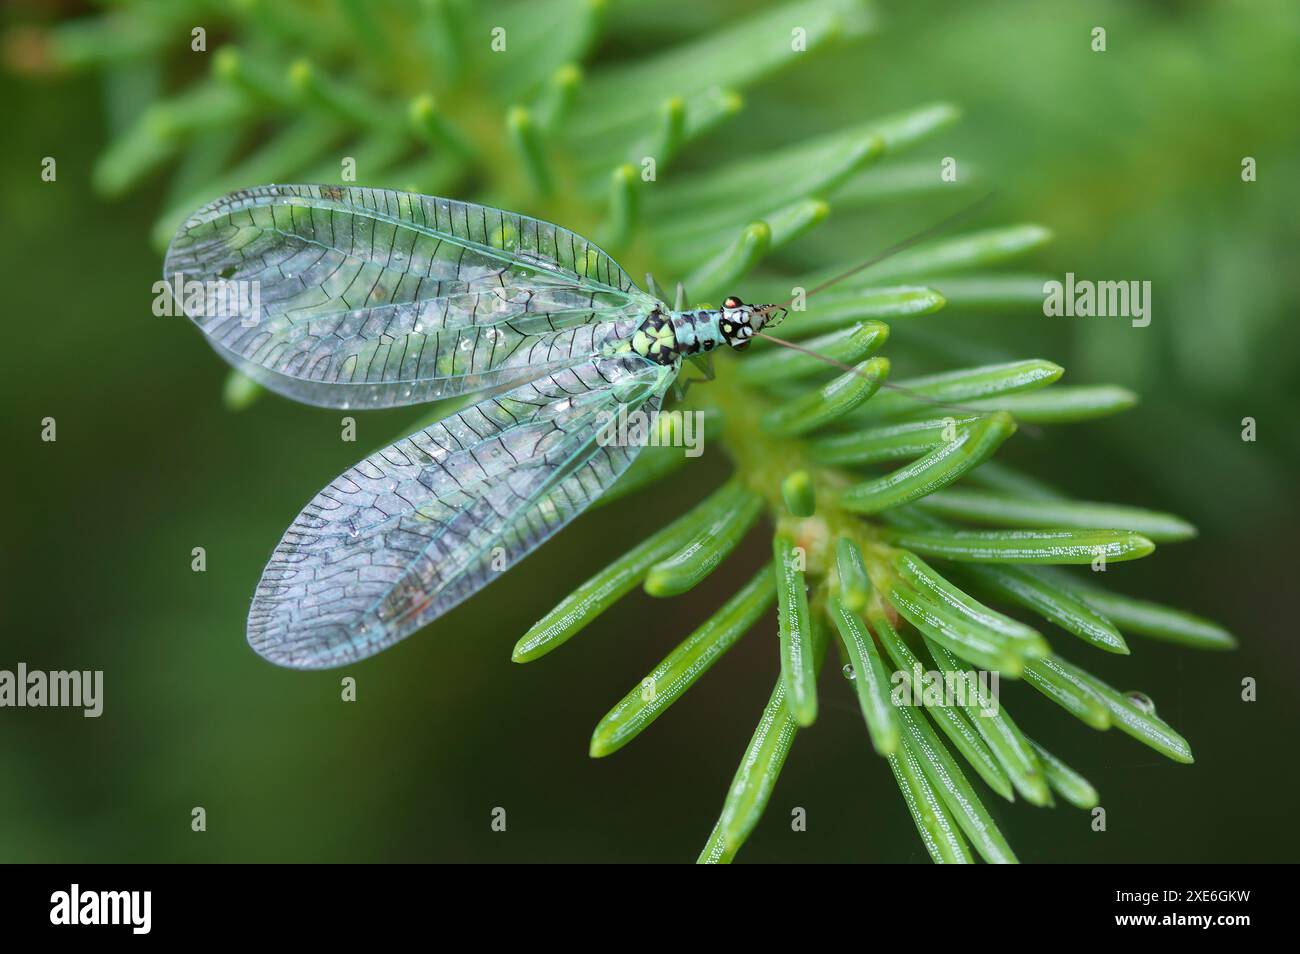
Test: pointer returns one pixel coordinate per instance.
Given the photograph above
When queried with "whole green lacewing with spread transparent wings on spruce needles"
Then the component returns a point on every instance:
(372, 298)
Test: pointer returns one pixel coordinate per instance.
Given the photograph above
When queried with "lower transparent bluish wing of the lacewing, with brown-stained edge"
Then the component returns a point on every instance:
(417, 528)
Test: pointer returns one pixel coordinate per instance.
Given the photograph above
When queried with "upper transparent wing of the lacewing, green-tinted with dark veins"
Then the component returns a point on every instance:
(370, 298)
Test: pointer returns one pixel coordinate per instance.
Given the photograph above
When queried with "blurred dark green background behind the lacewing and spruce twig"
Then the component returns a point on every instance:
(1132, 157)
